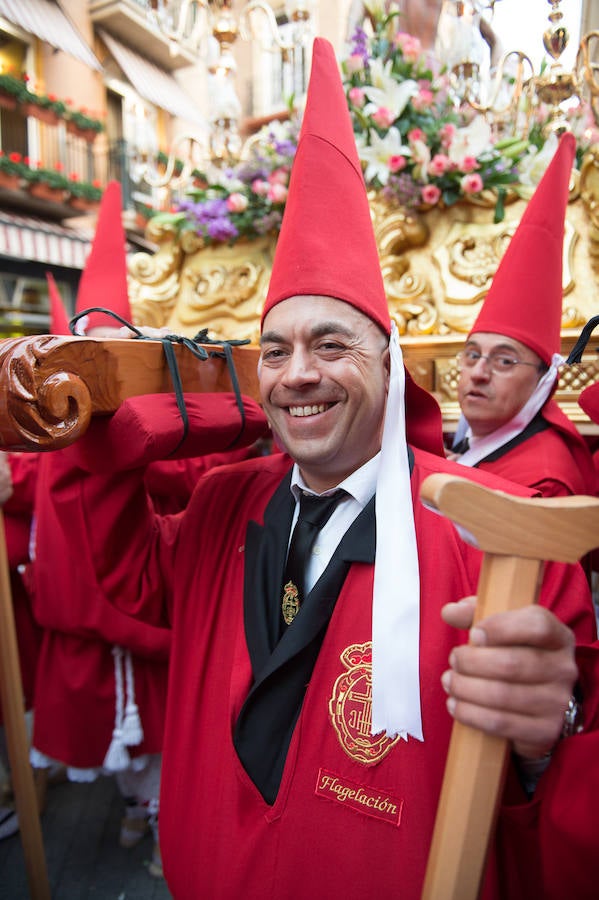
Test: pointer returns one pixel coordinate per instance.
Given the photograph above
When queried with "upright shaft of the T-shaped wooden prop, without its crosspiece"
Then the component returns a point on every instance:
(476, 762)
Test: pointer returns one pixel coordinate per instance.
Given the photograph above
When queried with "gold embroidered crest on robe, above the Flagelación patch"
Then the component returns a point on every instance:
(350, 708)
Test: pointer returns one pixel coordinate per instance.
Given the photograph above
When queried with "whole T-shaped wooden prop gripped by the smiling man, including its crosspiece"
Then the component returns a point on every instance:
(516, 535)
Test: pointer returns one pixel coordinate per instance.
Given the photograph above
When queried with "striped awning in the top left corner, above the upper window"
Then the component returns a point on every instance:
(48, 22)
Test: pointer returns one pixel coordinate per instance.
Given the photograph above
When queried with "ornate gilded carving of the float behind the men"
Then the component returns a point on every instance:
(437, 267)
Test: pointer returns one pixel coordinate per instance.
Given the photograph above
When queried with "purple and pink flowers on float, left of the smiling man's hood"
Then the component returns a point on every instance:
(244, 201)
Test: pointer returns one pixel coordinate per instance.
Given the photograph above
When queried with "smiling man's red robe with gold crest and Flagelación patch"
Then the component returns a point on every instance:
(354, 813)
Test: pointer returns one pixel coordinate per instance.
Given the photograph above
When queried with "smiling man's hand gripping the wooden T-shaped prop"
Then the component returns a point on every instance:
(515, 678)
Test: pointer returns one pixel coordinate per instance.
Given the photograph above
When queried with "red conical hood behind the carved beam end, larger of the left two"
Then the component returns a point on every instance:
(104, 278)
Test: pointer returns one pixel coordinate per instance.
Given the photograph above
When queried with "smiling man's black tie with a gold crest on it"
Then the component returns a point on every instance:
(313, 515)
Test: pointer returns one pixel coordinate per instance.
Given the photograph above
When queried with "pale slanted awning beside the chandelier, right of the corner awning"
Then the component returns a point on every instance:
(153, 84)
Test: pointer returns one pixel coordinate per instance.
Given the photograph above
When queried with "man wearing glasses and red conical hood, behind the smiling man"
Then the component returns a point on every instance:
(508, 368)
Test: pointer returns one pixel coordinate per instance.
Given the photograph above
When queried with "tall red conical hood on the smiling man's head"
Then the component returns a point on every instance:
(326, 245)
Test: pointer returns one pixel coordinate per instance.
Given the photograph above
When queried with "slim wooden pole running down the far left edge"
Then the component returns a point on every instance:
(13, 708)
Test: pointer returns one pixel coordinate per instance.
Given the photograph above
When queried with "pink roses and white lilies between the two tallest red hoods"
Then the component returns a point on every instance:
(415, 146)
